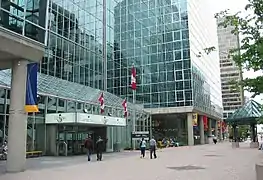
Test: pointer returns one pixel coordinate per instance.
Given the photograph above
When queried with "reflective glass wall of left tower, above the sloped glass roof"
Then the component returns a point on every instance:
(74, 50)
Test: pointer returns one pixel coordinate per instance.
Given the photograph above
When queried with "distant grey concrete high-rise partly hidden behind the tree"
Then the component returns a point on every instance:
(233, 98)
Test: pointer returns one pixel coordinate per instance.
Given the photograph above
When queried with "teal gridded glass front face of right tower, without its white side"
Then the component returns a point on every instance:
(153, 35)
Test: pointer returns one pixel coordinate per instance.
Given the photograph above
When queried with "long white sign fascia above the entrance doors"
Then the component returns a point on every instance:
(84, 118)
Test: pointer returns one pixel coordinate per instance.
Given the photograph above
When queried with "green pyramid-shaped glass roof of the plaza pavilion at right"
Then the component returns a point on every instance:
(247, 114)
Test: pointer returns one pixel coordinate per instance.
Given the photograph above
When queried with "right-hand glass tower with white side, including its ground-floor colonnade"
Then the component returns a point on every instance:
(175, 78)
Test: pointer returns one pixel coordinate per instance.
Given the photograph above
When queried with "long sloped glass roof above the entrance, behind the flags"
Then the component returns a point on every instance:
(49, 85)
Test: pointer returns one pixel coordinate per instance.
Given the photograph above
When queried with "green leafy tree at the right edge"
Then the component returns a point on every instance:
(250, 53)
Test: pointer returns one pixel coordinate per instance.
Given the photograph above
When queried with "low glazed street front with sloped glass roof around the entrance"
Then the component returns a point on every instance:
(60, 96)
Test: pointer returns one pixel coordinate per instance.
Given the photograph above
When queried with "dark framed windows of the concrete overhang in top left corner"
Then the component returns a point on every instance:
(25, 17)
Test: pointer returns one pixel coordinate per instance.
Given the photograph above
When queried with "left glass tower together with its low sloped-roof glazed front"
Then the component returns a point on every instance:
(71, 77)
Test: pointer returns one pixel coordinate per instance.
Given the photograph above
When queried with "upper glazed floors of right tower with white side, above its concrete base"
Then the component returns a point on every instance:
(156, 37)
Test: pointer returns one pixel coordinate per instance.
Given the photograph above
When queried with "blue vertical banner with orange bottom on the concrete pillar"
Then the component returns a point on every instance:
(31, 88)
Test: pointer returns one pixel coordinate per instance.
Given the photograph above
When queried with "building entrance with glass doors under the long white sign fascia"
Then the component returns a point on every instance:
(66, 132)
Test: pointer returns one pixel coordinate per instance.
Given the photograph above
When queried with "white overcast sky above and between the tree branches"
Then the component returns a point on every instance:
(235, 6)
